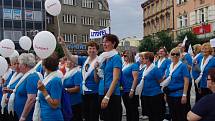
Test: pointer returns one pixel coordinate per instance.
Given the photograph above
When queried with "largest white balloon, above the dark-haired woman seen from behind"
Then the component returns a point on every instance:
(44, 44)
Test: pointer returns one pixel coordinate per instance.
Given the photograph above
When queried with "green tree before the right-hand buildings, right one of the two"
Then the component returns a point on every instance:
(165, 40)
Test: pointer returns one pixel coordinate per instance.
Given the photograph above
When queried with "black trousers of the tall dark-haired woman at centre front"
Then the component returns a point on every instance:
(113, 112)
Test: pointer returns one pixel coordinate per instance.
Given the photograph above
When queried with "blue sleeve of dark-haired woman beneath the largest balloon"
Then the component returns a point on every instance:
(56, 89)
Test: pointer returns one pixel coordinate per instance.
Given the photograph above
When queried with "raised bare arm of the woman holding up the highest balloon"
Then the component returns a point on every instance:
(73, 58)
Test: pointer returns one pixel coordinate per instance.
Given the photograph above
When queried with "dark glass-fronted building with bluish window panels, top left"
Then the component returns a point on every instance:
(21, 17)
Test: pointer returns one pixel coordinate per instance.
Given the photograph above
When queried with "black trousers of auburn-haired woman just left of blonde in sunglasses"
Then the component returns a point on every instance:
(154, 107)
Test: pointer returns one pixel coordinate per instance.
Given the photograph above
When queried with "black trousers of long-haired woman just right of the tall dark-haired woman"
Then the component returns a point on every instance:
(131, 106)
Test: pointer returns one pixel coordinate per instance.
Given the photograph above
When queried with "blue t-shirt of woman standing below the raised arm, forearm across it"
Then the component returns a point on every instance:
(71, 82)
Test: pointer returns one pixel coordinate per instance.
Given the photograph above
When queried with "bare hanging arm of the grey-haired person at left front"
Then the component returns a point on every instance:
(28, 106)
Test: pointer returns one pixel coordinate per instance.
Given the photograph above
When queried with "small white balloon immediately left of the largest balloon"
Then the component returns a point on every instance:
(25, 43)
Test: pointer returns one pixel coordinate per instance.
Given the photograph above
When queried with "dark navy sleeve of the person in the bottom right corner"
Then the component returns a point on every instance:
(202, 107)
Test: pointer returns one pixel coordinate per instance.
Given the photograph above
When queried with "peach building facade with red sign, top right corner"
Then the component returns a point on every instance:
(197, 16)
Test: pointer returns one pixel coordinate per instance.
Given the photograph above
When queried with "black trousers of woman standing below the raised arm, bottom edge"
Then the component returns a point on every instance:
(77, 112)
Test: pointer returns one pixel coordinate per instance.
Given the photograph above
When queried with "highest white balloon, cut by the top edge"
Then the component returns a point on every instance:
(53, 7)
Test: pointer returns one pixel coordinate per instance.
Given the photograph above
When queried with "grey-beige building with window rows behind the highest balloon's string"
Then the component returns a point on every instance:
(77, 18)
